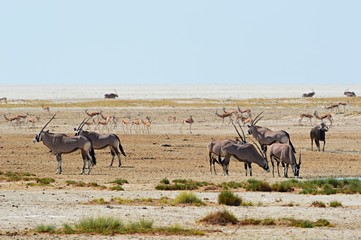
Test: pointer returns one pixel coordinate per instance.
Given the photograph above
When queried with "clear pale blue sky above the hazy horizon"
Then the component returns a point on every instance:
(180, 42)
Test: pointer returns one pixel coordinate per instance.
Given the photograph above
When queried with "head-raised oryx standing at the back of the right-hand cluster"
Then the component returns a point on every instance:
(266, 136)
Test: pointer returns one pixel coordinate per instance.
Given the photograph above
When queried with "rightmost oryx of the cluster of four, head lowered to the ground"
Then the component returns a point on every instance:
(283, 153)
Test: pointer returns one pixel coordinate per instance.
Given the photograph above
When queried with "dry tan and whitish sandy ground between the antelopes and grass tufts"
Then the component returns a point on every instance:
(170, 151)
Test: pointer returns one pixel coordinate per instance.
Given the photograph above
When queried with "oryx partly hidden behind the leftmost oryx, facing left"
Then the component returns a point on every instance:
(101, 141)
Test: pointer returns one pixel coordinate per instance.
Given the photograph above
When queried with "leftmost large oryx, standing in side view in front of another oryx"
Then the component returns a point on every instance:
(59, 144)
